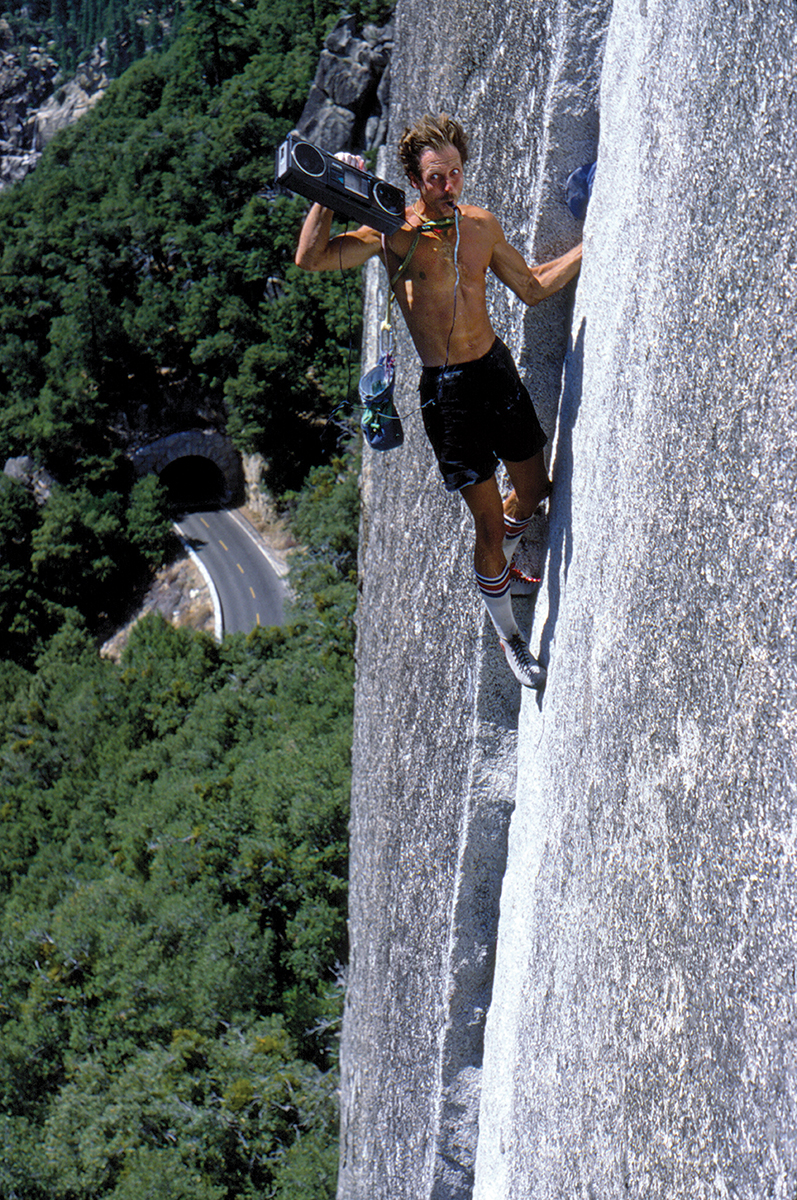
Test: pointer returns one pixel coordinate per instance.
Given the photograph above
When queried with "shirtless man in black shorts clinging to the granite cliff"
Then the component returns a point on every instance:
(476, 409)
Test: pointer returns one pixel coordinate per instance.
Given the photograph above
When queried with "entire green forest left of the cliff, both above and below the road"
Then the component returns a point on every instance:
(173, 859)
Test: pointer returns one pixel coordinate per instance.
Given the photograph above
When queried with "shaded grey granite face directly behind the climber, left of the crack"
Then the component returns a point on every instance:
(435, 753)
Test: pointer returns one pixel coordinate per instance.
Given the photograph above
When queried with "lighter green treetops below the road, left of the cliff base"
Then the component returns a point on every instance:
(173, 877)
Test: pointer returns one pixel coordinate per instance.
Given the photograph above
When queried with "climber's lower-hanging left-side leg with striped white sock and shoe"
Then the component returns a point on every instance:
(493, 578)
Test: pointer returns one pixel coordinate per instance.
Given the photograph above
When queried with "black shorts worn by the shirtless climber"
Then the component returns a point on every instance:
(478, 413)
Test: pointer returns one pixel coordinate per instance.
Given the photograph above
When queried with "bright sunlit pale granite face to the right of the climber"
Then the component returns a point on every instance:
(643, 1040)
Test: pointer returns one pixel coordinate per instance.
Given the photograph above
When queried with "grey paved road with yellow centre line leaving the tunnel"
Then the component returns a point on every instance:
(248, 583)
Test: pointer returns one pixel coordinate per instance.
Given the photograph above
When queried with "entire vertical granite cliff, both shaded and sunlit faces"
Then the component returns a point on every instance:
(642, 1030)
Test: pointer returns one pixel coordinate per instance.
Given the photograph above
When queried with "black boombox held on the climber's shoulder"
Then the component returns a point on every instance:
(349, 191)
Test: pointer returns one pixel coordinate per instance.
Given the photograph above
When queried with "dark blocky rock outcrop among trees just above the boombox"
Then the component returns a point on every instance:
(347, 107)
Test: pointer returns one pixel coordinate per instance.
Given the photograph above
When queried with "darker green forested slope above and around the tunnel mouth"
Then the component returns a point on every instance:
(147, 285)
